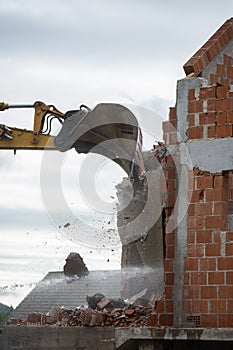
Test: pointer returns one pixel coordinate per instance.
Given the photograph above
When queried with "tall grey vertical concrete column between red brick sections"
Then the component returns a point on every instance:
(182, 161)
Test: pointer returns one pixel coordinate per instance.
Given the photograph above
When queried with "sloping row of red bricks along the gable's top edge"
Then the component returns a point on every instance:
(210, 49)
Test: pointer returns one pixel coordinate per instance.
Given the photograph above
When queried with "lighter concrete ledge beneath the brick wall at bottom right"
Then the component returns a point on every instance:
(205, 334)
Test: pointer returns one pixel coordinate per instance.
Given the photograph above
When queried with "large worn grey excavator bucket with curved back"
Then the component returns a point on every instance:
(110, 130)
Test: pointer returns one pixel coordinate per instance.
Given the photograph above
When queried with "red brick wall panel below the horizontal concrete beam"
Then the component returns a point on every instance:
(208, 289)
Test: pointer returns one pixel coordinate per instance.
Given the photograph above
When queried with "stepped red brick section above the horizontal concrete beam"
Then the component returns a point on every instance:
(211, 108)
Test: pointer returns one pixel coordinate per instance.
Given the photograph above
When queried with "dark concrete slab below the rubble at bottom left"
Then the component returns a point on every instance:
(55, 338)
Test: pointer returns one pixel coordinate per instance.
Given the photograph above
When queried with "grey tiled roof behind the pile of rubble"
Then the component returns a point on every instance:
(56, 290)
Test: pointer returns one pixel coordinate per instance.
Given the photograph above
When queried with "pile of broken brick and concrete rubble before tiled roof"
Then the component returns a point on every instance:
(105, 313)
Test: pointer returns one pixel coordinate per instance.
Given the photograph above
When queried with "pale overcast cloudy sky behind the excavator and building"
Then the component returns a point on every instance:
(67, 53)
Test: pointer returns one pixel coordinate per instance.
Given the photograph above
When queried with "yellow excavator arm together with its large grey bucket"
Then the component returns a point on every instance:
(109, 129)
